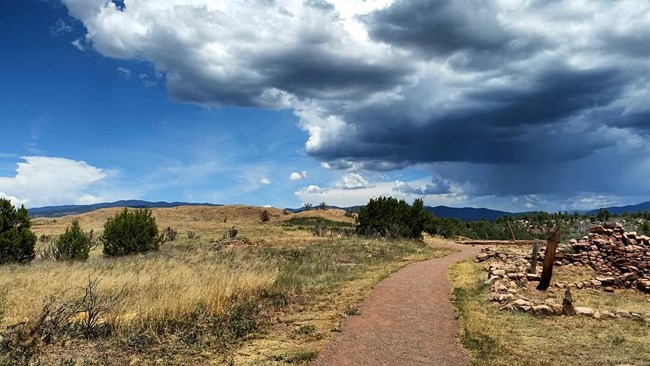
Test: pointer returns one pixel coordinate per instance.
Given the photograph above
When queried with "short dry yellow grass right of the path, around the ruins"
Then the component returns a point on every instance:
(496, 337)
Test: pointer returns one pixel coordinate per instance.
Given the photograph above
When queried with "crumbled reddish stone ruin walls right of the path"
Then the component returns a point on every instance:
(620, 259)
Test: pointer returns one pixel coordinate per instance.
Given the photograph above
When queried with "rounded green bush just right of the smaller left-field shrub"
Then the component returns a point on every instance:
(130, 232)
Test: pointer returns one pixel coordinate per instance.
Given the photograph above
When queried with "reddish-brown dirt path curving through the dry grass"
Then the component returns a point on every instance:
(407, 320)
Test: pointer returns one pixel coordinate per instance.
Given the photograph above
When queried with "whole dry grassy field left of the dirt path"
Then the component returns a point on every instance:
(274, 301)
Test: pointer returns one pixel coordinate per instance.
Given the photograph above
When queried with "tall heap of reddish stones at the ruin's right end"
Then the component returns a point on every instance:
(621, 258)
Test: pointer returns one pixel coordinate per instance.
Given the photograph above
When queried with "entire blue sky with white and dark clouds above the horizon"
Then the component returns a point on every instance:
(516, 105)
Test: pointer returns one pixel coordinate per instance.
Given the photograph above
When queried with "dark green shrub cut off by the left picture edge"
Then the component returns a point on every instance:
(17, 241)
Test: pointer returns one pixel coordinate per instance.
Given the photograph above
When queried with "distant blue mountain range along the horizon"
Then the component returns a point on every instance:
(464, 213)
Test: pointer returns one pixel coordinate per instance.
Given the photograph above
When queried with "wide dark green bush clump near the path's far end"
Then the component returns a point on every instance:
(392, 218)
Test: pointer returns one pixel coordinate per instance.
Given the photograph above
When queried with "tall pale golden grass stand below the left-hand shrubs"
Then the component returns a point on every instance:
(159, 286)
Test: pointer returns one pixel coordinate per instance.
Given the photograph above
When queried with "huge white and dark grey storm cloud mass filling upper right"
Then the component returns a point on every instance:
(506, 88)
